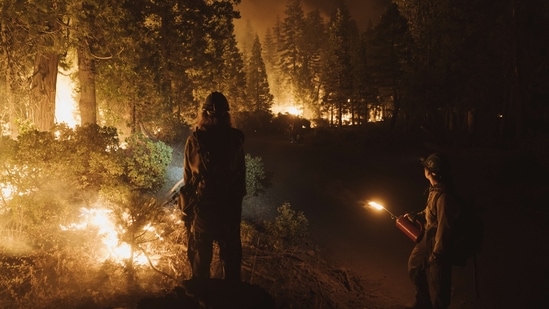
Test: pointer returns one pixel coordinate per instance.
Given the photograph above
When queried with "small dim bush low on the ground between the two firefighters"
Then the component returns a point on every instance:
(289, 227)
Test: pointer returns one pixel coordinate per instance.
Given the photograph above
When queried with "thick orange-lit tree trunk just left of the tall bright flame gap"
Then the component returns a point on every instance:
(44, 82)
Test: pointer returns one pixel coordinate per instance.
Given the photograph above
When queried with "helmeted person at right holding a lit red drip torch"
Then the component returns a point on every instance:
(429, 265)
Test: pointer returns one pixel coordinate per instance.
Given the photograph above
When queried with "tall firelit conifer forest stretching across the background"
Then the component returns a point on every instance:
(443, 67)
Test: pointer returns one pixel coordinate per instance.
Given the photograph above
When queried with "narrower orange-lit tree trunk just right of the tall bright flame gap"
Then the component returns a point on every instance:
(86, 75)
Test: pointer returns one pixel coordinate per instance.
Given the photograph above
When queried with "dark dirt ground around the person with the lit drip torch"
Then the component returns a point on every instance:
(330, 176)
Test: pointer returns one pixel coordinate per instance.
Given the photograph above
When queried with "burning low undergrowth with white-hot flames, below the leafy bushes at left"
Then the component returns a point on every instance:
(98, 261)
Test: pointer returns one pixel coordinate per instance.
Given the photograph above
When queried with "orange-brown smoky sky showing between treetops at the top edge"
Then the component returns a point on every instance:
(262, 14)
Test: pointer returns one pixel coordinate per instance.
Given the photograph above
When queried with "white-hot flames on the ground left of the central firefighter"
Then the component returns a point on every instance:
(115, 249)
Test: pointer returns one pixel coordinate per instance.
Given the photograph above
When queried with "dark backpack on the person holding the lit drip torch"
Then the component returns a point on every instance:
(468, 233)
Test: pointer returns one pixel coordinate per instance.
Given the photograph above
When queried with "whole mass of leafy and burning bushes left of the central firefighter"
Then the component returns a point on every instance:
(78, 220)
